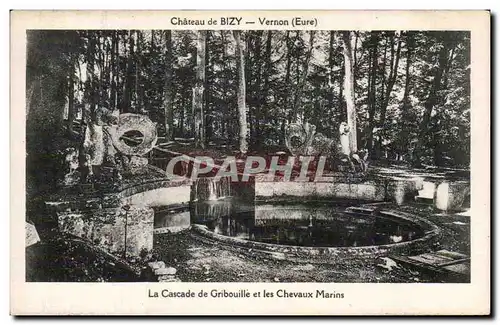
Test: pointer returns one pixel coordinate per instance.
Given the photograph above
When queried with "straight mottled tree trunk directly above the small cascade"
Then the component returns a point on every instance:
(198, 114)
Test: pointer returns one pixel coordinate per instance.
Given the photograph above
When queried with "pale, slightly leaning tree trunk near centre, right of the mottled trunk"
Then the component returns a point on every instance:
(242, 116)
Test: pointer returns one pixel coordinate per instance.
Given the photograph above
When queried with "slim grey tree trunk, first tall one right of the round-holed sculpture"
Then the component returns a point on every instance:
(168, 91)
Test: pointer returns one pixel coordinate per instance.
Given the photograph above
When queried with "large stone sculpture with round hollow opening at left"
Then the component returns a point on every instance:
(106, 152)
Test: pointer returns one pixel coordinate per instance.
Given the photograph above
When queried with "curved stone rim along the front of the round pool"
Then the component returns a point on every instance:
(330, 254)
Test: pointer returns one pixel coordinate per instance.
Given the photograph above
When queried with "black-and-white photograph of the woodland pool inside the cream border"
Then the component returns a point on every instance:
(274, 155)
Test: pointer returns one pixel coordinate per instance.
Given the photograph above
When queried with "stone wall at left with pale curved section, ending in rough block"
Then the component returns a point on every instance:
(121, 220)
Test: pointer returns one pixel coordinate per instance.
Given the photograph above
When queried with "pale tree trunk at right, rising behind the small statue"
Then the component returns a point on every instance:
(349, 91)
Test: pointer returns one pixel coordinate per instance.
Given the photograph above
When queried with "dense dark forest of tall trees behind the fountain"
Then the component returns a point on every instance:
(406, 93)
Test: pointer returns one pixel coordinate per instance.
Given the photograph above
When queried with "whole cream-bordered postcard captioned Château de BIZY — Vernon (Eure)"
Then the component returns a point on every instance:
(250, 163)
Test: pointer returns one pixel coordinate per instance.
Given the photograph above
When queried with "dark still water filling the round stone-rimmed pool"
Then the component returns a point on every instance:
(316, 225)
